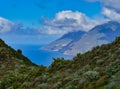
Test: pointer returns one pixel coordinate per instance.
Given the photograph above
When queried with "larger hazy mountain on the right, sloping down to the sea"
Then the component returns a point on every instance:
(101, 34)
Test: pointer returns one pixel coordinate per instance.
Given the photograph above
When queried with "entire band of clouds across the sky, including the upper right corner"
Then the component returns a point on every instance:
(66, 21)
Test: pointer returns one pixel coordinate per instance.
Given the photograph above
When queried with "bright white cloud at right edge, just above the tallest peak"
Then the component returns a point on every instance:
(111, 14)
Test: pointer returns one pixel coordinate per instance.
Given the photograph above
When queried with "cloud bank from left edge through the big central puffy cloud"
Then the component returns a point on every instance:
(63, 22)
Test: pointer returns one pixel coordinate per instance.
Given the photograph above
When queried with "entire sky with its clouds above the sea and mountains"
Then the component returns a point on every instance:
(43, 21)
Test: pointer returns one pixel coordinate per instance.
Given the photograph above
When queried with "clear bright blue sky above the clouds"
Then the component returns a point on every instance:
(30, 12)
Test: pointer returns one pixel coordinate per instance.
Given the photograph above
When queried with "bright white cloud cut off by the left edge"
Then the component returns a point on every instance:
(5, 25)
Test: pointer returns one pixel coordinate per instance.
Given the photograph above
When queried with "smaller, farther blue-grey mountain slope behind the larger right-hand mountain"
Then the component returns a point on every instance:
(62, 42)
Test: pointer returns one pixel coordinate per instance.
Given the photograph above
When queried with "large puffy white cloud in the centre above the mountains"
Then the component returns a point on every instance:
(66, 21)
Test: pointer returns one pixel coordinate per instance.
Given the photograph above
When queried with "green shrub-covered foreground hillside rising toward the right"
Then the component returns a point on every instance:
(96, 69)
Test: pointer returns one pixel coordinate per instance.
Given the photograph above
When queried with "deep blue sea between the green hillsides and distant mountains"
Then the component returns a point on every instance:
(38, 56)
